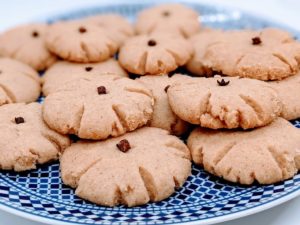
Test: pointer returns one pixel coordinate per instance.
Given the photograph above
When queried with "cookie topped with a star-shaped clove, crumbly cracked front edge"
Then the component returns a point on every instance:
(225, 102)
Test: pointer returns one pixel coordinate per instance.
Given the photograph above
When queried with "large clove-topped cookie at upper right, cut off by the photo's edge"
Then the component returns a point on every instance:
(269, 54)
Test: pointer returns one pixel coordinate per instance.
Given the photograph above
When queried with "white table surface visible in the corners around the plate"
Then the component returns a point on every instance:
(14, 12)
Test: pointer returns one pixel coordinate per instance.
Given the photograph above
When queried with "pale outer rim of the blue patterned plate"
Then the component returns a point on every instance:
(223, 218)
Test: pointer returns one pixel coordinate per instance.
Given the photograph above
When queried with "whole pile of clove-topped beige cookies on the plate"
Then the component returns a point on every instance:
(115, 110)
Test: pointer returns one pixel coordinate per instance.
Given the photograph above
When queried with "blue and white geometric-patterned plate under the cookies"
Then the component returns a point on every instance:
(204, 199)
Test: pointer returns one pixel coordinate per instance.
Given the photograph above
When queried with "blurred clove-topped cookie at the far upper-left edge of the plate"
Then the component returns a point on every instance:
(26, 43)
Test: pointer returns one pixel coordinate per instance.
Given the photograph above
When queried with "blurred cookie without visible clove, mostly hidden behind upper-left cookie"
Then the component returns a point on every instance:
(115, 24)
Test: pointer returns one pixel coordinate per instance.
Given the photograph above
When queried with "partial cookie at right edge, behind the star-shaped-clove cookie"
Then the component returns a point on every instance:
(288, 91)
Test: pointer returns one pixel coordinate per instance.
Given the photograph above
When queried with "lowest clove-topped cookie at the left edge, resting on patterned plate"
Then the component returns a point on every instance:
(25, 139)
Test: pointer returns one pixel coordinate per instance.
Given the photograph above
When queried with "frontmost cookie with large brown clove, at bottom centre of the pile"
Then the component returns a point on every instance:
(138, 167)
